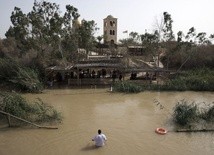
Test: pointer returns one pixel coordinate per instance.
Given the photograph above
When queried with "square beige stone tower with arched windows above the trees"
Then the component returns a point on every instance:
(110, 30)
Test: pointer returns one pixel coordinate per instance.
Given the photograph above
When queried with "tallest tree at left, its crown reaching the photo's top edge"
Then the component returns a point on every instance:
(46, 28)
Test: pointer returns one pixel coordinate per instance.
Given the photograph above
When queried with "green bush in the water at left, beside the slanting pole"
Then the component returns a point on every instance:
(37, 111)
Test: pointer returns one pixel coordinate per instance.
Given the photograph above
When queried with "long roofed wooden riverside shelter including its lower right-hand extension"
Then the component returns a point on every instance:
(100, 72)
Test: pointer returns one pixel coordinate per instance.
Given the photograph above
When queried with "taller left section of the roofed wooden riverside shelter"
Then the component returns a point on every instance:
(88, 72)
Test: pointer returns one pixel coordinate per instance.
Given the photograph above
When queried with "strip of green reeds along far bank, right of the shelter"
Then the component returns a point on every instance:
(193, 80)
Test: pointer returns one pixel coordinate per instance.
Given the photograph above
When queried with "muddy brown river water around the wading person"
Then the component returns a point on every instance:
(128, 120)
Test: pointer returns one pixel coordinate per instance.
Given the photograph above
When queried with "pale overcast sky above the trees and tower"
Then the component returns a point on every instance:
(133, 15)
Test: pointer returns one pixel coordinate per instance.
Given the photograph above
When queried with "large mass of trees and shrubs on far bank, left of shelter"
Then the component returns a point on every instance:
(41, 38)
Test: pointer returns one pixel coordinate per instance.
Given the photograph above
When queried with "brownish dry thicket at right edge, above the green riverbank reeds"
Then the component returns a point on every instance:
(187, 56)
